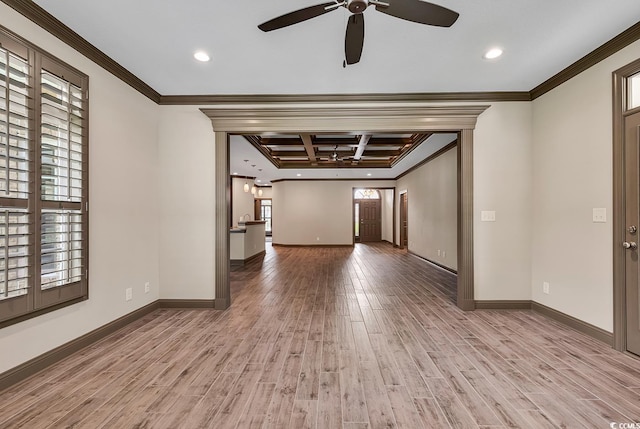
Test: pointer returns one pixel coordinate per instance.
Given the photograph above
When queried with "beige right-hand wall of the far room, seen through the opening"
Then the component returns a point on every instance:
(432, 192)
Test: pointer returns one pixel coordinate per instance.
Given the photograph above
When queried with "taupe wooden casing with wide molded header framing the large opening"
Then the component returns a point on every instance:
(337, 114)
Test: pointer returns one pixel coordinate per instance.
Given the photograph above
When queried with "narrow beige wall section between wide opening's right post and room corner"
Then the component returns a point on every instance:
(502, 183)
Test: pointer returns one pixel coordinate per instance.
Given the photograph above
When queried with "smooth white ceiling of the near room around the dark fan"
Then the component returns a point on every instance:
(155, 40)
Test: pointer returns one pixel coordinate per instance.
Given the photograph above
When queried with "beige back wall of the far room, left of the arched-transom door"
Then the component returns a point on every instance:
(316, 212)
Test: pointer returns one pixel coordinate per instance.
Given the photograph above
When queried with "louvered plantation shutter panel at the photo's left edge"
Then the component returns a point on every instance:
(16, 229)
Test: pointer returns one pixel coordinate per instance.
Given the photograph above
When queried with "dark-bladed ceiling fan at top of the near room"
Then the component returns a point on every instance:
(418, 11)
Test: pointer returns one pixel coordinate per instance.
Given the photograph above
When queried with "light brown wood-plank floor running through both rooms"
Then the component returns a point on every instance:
(364, 337)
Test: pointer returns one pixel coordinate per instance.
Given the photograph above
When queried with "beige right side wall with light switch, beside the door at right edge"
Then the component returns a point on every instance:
(572, 166)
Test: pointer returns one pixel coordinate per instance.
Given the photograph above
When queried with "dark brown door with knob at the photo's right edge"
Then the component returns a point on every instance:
(632, 217)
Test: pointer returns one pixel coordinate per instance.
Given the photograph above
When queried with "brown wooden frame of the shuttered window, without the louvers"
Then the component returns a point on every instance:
(38, 301)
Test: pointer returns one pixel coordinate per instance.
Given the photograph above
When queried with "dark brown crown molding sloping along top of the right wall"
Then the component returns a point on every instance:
(609, 48)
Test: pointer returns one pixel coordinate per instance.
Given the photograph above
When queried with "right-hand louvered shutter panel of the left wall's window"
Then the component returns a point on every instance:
(62, 268)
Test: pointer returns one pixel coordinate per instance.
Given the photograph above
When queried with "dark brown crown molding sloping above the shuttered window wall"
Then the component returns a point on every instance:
(30, 10)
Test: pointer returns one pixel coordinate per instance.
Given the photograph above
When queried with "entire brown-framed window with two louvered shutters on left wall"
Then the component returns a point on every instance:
(43, 182)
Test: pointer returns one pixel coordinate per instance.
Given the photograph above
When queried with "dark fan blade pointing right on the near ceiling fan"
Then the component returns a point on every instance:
(419, 11)
